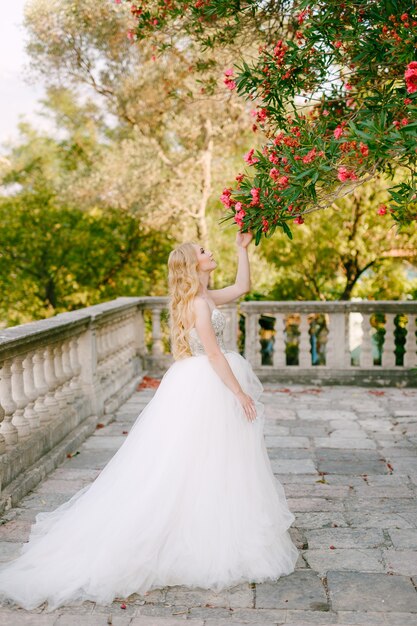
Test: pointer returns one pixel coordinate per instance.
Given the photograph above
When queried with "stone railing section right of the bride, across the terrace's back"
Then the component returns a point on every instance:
(365, 342)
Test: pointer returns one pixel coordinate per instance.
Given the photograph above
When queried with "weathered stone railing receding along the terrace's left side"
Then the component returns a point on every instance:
(58, 378)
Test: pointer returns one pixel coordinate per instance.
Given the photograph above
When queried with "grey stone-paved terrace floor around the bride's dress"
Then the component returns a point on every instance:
(347, 458)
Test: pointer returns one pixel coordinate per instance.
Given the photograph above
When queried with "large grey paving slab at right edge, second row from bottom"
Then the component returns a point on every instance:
(371, 592)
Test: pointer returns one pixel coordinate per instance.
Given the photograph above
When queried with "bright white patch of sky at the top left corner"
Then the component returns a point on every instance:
(17, 97)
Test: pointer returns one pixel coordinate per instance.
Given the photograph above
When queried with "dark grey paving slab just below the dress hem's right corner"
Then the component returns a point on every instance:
(302, 589)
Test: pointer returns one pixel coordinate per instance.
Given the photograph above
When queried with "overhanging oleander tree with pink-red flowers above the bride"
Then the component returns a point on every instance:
(334, 90)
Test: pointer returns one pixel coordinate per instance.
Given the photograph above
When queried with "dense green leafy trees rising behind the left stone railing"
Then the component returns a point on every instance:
(56, 259)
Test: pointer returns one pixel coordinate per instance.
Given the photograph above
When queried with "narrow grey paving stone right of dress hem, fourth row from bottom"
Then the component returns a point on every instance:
(344, 538)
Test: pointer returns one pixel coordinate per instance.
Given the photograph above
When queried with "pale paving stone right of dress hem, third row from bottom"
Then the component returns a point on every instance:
(352, 559)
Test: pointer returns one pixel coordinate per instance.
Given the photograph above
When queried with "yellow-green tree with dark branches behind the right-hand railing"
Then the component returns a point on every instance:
(351, 253)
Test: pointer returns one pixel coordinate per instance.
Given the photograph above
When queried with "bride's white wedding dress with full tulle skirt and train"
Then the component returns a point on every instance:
(188, 499)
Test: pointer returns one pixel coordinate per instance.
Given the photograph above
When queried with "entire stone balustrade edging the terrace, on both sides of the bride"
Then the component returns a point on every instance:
(59, 377)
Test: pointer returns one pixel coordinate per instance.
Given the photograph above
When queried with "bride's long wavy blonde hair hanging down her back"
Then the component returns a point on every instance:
(183, 286)
